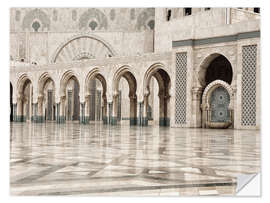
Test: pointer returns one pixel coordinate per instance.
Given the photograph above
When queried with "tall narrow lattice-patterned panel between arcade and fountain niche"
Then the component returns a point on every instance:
(180, 88)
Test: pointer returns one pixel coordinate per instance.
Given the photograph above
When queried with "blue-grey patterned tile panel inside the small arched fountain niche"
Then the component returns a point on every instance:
(219, 103)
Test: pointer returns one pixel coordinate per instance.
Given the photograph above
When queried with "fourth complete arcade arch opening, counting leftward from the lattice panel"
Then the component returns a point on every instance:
(70, 99)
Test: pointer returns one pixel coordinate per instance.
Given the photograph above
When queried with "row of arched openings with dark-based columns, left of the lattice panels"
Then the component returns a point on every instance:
(123, 109)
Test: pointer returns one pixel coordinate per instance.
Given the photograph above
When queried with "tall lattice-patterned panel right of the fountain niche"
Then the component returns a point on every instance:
(249, 61)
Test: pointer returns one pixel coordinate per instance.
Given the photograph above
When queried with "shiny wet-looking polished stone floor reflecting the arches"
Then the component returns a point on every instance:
(96, 159)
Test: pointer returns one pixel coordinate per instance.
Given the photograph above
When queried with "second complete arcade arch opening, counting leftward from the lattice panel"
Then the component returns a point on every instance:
(122, 112)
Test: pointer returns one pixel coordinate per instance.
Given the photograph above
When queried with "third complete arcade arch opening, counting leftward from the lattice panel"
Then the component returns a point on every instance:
(95, 99)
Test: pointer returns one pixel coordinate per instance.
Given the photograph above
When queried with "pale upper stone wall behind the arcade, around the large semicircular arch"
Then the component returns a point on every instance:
(127, 30)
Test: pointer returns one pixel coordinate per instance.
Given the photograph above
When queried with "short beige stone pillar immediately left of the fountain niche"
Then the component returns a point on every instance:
(196, 118)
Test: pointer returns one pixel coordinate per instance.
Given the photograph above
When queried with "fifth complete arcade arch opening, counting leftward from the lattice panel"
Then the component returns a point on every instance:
(46, 100)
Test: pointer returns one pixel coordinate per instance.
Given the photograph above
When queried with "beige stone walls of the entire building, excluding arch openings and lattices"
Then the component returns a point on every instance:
(136, 48)
